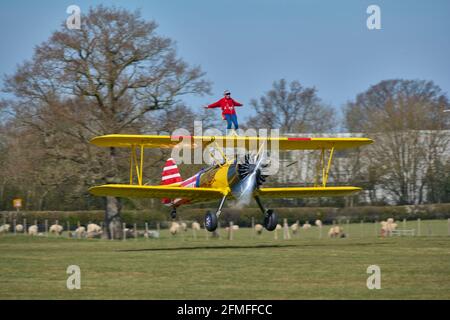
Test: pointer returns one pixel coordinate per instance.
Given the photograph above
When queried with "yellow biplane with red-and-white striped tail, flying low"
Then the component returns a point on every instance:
(225, 179)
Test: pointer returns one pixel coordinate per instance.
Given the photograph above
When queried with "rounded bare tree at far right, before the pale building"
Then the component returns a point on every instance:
(405, 119)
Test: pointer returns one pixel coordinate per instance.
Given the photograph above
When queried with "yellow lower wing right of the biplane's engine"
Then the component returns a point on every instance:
(305, 192)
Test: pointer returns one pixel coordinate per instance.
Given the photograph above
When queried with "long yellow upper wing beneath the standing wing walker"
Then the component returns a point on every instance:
(283, 143)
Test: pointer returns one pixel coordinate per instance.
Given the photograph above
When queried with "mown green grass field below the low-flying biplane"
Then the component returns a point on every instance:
(247, 267)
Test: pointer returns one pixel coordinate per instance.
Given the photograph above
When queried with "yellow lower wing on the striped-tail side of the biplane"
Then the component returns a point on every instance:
(136, 191)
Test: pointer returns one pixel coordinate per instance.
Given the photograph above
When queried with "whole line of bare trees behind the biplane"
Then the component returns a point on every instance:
(117, 75)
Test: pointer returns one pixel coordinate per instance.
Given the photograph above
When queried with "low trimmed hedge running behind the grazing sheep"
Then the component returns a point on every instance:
(243, 217)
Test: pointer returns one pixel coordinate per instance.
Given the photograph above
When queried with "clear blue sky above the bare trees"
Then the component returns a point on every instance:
(245, 45)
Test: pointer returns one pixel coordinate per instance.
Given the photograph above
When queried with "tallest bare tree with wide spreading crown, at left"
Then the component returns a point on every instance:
(105, 78)
